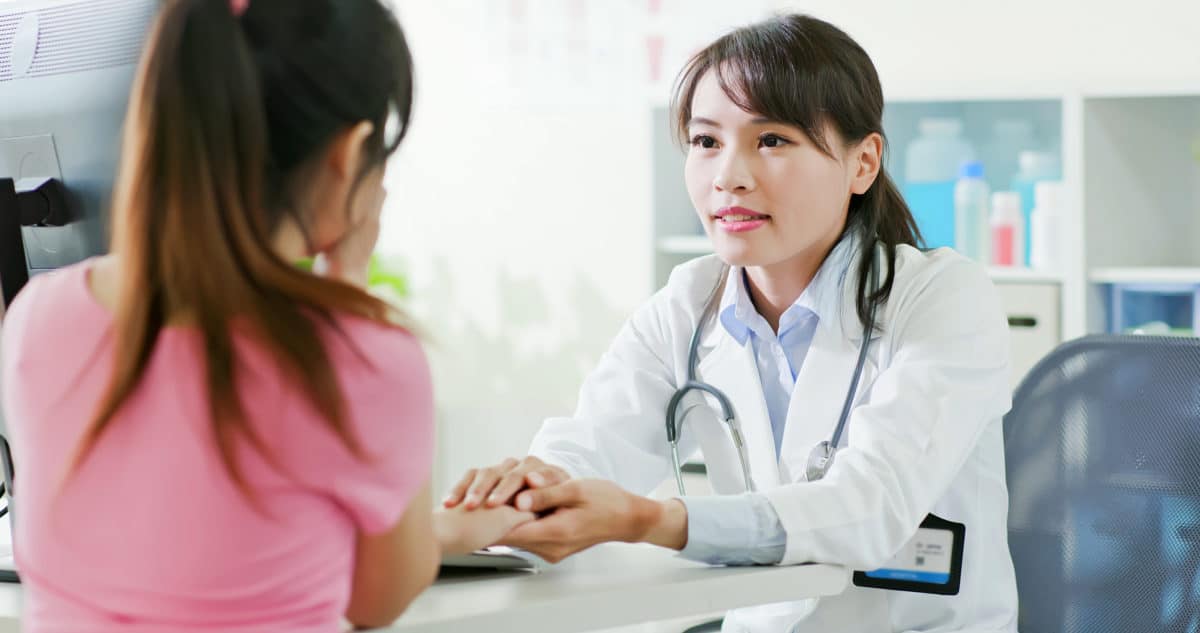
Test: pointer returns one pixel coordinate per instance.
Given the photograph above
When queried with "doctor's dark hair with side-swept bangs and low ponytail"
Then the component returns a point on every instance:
(805, 73)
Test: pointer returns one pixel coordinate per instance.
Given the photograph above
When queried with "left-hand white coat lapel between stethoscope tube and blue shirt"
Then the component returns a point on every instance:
(731, 367)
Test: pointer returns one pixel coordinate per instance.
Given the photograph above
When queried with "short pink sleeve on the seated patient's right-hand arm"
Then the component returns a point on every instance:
(389, 402)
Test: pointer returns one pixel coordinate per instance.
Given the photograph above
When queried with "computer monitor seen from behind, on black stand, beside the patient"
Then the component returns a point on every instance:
(67, 68)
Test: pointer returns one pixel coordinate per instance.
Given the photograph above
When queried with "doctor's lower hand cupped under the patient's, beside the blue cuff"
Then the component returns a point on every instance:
(589, 513)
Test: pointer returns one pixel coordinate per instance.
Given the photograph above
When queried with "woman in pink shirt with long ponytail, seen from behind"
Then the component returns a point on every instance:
(208, 438)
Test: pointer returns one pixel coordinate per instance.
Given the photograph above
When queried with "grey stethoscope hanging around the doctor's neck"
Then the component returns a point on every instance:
(820, 460)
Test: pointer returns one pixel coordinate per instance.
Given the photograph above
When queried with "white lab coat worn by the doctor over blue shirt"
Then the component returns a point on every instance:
(925, 436)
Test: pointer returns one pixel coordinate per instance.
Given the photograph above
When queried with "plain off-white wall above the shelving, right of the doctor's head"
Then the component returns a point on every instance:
(934, 47)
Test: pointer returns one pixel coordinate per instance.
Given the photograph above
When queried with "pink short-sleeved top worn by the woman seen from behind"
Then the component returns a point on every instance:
(152, 535)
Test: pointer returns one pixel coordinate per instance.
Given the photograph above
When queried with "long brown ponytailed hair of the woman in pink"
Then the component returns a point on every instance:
(229, 116)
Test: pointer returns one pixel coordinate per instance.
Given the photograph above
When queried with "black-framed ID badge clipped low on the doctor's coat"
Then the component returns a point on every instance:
(931, 563)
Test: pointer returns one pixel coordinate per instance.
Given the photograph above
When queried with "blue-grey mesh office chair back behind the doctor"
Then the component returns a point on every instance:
(1103, 456)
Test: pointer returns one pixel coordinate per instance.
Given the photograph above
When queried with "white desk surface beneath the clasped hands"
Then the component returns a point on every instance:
(607, 587)
